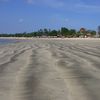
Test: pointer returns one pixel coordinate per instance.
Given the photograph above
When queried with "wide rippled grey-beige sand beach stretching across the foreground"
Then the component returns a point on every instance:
(50, 69)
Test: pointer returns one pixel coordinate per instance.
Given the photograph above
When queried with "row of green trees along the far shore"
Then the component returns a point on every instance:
(63, 32)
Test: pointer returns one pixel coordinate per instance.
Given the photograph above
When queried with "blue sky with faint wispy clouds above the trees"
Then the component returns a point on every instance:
(31, 15)
